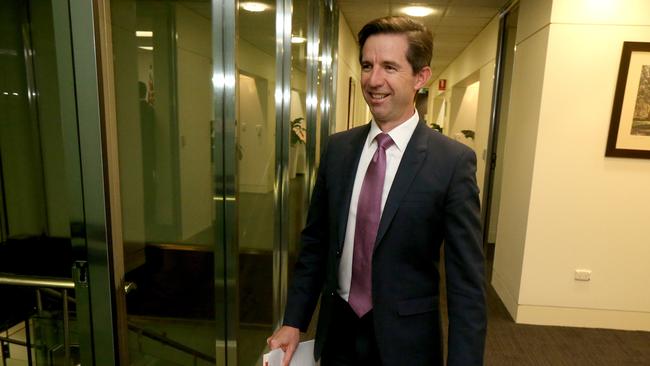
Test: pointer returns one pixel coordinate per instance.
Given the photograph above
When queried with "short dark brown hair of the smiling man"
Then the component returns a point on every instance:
(420, 39)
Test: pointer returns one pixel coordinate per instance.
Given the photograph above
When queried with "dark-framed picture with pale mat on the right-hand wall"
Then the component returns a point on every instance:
(629, 129)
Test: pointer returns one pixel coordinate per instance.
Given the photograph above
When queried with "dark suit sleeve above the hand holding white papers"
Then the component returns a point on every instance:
(309, 271)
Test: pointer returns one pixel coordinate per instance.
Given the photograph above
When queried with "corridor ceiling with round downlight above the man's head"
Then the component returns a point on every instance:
(454, 24)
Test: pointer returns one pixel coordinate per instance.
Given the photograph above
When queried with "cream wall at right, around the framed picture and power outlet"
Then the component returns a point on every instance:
(565, 205)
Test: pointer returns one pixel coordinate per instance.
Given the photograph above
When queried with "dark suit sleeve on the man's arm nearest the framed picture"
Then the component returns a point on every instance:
(464, 266)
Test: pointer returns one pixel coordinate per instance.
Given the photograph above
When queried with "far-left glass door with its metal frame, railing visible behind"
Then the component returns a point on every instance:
(51, 210)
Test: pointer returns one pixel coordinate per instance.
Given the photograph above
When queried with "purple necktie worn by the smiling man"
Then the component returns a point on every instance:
(365, 232)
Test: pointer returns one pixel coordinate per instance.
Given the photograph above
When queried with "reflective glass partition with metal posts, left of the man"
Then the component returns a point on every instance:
(217, 117)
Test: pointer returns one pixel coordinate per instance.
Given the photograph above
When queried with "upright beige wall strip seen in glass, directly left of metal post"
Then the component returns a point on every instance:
(194, 68)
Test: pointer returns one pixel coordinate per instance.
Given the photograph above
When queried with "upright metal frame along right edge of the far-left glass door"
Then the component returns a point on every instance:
(92, 129)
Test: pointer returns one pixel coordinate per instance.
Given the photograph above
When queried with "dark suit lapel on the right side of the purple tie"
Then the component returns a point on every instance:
(412, 160)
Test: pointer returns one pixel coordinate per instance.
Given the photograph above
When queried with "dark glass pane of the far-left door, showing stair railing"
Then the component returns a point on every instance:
(42, 230)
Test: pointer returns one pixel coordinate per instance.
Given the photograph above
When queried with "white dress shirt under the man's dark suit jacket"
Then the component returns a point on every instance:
(401, 135)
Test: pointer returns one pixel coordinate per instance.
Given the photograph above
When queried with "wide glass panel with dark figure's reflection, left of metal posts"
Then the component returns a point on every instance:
(163, 62)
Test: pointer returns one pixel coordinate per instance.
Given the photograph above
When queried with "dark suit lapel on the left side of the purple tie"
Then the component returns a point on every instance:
(351, 154)
